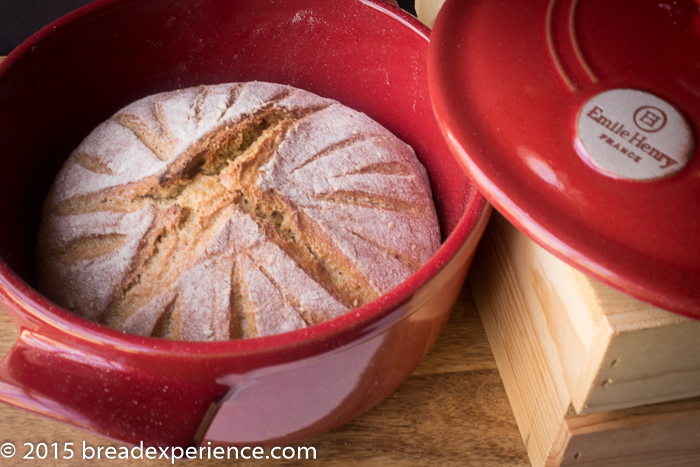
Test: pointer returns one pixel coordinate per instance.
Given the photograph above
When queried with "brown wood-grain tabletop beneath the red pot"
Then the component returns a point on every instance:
(452, 410)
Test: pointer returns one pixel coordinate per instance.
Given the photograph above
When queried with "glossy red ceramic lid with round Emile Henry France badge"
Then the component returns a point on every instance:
(579, 121)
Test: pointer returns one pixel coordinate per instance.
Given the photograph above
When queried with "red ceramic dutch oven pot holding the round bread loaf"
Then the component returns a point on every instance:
(77, 72)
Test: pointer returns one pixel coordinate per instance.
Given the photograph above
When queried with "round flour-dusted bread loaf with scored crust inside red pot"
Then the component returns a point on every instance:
(231, 211)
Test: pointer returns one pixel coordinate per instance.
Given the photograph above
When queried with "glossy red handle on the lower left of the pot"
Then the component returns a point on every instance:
(101, 394)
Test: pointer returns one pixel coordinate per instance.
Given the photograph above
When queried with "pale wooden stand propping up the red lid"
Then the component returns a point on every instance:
(582, 363)
